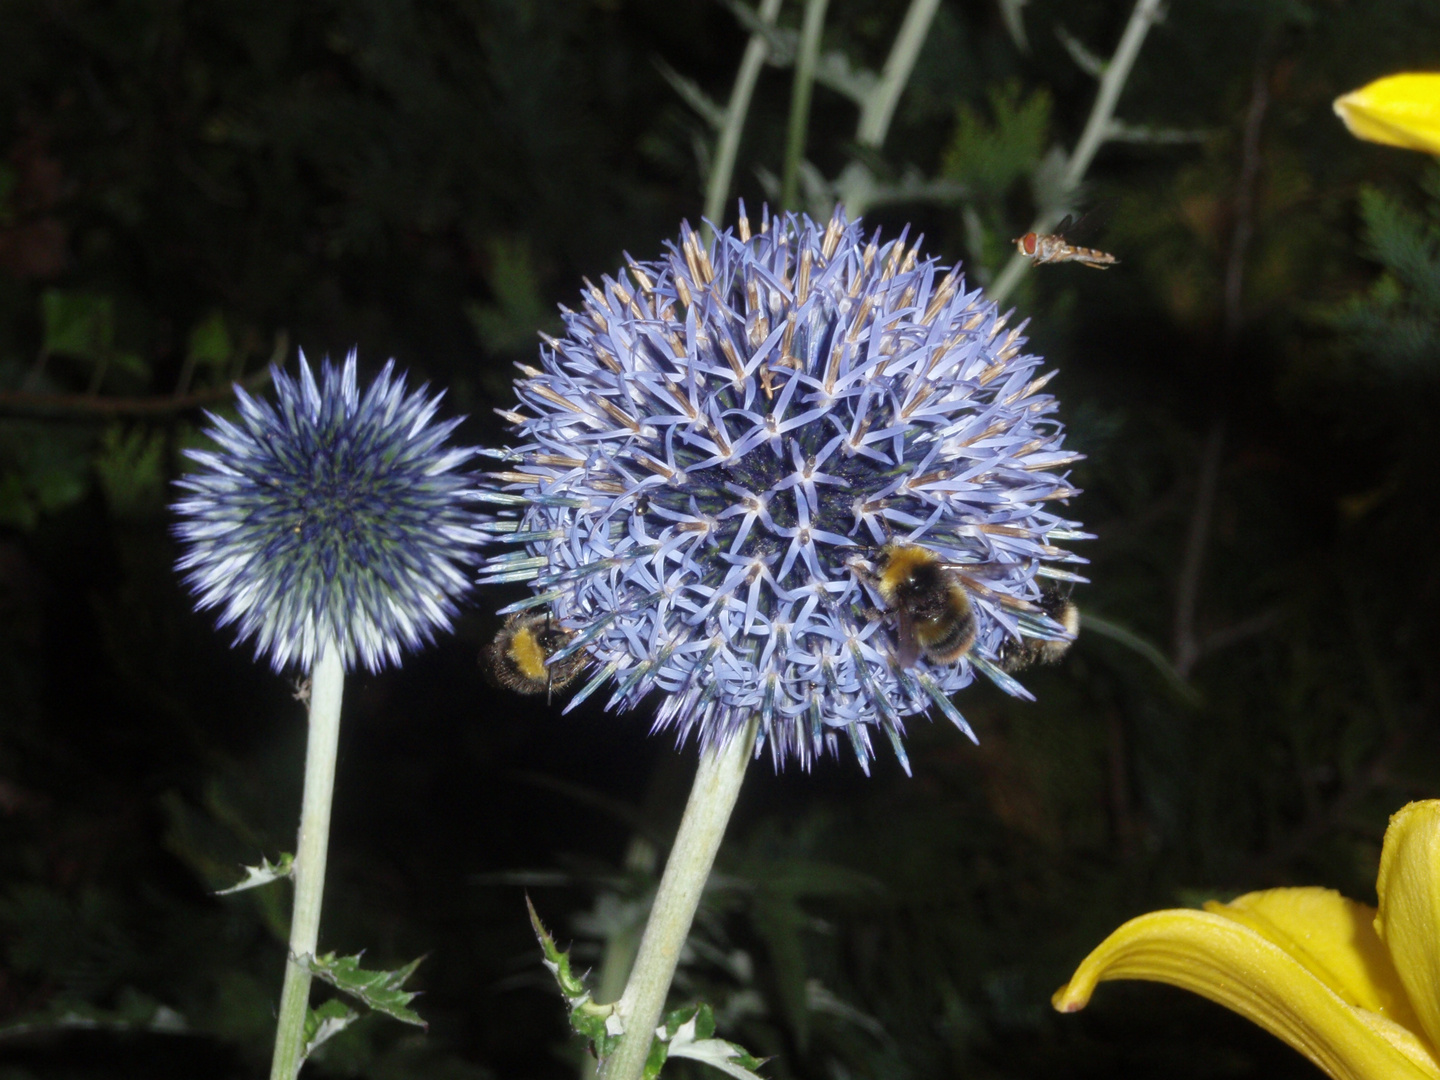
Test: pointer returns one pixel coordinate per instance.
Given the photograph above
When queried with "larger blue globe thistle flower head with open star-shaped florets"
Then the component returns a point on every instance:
(724, 440)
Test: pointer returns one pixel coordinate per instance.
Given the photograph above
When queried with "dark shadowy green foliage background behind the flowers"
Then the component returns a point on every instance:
(188, 191)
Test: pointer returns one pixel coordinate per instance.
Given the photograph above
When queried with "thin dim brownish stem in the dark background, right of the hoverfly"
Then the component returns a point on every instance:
(1187, 594)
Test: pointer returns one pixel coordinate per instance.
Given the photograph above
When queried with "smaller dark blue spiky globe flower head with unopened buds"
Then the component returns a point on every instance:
(332, 516)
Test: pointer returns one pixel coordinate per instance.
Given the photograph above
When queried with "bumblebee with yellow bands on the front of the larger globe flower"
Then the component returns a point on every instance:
(932, 610)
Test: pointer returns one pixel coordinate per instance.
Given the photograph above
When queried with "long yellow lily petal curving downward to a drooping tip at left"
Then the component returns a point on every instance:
(1230, 964)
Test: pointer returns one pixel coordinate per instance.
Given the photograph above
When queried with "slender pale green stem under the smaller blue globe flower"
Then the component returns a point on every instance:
(326, 686)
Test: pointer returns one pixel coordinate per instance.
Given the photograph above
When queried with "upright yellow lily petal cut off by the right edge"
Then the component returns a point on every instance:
(1409, 919)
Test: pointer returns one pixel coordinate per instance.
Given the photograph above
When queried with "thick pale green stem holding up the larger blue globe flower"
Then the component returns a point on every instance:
(712, 798)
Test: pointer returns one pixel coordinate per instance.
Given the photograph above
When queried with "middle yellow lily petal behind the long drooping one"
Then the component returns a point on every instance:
(1334, 940)
